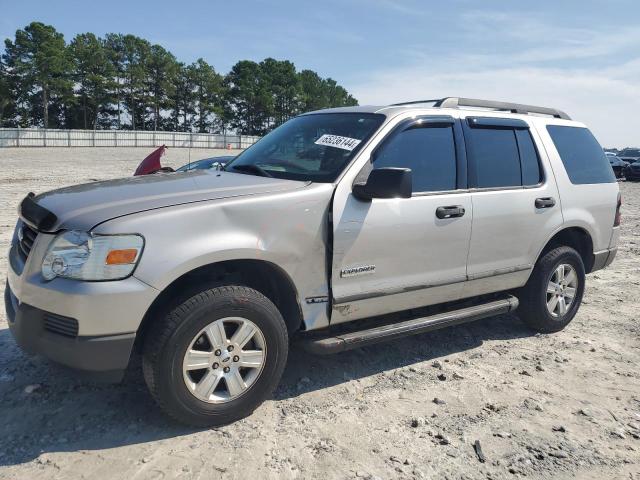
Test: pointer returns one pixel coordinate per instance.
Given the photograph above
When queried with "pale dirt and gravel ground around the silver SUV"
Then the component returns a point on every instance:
(542, 406)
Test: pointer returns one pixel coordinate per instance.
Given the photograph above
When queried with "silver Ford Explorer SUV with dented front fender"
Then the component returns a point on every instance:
(397, 219)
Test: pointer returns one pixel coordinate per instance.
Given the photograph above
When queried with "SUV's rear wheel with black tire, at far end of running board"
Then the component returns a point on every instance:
(534, 308)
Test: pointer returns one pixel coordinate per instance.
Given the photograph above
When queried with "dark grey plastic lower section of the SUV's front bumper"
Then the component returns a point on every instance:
(99, 357)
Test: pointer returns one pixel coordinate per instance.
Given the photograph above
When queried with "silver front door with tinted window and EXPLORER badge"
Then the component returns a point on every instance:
(397, 254)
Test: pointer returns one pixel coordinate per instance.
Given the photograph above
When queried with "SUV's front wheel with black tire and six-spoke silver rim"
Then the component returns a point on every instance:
(185, 396)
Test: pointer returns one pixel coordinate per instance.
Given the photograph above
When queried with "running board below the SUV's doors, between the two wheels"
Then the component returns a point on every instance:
(341, 342)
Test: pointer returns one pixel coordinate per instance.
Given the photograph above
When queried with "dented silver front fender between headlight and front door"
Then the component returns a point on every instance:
(287, 229)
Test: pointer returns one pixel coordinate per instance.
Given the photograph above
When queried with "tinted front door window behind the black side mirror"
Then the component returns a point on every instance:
(428, 151)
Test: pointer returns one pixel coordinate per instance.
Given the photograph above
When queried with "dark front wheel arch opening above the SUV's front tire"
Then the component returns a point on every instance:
(264, 276)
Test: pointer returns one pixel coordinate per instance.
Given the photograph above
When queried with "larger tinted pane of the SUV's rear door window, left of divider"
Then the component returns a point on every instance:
(494, 158)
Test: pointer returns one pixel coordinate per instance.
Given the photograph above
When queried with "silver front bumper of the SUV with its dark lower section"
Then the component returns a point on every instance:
(88, 326)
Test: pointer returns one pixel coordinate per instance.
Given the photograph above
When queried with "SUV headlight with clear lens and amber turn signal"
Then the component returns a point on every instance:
(85, 256)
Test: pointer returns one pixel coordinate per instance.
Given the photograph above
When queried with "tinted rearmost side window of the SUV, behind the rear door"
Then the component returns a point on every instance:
(582, 156)
